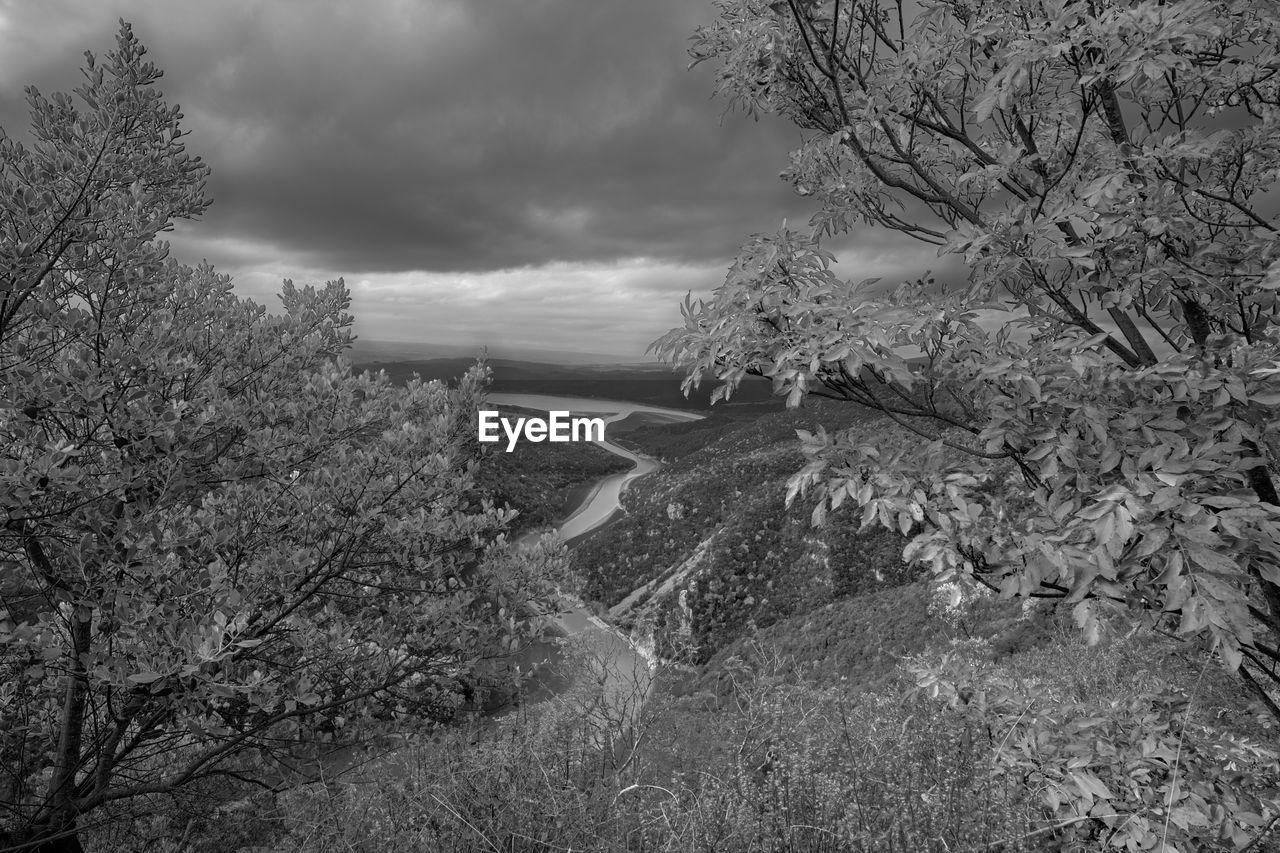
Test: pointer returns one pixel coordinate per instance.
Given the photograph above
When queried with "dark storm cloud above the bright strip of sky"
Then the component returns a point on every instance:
(450, 135)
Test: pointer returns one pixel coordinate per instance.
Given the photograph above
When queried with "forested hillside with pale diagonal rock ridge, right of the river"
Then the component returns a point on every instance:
(710, 545)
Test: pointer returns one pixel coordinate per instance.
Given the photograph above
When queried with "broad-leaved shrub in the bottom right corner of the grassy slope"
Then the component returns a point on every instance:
(1118, 756)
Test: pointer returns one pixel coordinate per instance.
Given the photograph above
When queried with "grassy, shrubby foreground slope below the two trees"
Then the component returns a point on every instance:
(774, 754)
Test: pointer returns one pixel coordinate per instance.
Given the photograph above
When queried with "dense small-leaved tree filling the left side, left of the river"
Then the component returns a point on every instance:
(213, 536)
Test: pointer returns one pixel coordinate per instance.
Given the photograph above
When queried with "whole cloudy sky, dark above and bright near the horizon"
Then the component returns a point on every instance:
(525, 175)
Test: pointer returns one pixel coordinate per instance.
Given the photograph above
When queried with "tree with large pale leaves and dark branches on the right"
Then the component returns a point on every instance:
(1099, 399)
